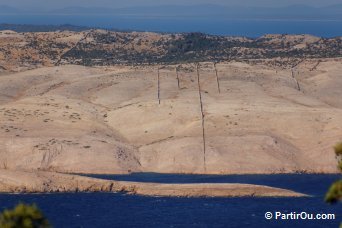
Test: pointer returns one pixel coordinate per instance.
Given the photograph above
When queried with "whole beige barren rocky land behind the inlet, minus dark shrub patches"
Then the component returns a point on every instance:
(254, 115)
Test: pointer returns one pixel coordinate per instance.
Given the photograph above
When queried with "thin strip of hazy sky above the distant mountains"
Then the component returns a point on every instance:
(52, 4)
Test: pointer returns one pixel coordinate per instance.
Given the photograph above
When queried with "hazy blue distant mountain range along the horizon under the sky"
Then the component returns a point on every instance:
(198, 11)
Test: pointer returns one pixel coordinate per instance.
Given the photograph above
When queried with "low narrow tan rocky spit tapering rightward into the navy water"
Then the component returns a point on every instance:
(49, 182)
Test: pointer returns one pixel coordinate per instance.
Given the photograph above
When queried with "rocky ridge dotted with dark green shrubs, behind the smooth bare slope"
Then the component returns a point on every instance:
(99, 47)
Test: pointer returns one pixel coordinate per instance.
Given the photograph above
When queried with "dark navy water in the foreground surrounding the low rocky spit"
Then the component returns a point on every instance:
(118, 210)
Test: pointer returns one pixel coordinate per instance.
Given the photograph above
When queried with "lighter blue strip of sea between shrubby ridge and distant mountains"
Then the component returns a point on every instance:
(218, 26)
